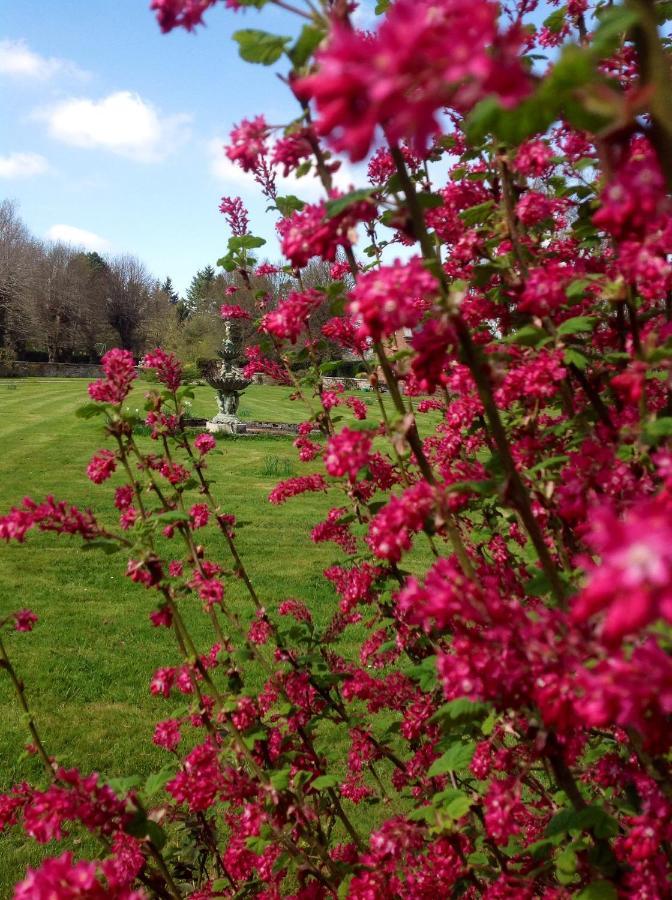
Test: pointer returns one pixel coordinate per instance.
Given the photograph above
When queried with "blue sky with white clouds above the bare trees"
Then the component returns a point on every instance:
(115, 130)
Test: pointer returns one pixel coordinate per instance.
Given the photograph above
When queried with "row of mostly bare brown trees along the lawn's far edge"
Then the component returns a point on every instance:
(61, 304)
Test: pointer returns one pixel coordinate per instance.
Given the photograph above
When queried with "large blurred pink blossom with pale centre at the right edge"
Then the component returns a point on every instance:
(633, 583)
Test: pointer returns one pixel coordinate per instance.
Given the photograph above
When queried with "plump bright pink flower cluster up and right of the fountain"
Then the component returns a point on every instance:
(392, 297)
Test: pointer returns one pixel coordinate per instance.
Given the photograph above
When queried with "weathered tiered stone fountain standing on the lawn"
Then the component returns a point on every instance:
(228, 380)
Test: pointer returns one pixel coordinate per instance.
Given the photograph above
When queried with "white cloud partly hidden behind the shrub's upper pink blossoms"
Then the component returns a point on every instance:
(308, 188)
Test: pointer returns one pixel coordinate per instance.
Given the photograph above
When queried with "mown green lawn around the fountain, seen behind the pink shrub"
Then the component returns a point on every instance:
(88, 663)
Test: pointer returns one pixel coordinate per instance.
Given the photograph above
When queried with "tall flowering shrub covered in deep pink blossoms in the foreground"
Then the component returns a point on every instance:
(506, 717)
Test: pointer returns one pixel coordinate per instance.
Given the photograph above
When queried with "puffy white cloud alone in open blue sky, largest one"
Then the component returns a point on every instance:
(122, 123)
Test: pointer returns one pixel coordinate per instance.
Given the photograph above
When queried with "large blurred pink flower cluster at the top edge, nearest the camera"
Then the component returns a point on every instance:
(424, 57)
